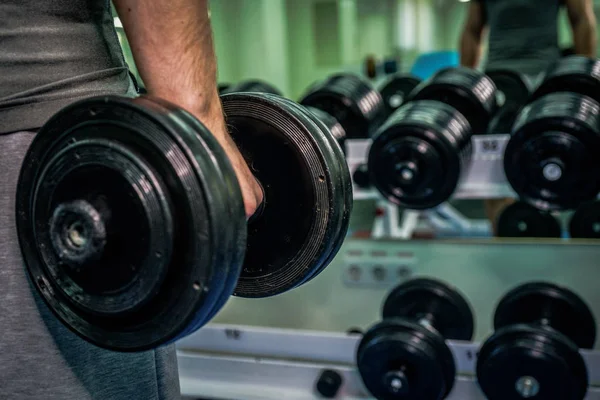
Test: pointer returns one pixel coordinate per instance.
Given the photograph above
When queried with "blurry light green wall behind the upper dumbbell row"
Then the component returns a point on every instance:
(293, 43)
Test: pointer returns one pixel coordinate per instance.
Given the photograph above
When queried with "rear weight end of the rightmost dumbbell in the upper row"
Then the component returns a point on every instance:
(577, 74)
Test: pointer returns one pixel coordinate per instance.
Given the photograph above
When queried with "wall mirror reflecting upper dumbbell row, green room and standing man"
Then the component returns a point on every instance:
(474, 71)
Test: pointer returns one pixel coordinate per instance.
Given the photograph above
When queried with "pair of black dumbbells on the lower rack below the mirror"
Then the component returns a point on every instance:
(533, 352)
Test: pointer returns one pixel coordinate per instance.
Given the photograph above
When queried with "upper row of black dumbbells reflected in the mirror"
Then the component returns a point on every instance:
(422, 130)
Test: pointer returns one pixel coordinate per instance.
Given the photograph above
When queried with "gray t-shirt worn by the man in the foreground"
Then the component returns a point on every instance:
(53, 52)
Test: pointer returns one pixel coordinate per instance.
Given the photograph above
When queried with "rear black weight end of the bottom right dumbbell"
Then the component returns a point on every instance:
(562, 309)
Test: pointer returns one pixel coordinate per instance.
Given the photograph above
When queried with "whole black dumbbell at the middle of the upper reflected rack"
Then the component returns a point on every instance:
(419, 155)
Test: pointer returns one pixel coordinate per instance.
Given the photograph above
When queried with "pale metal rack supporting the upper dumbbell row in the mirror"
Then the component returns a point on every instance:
(485, 179)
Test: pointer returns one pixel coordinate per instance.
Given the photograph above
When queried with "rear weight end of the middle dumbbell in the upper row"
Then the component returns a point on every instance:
(470, 92)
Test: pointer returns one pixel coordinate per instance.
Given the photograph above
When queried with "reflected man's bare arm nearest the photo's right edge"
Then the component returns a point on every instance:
(583, 24)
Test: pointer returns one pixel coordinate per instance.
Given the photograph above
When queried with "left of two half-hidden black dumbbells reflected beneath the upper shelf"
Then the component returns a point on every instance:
(523, 220)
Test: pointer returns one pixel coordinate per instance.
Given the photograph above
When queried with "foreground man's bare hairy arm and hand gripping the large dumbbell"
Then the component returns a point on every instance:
(171, 42)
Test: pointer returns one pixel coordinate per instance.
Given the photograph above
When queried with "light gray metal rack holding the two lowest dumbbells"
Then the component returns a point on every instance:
(244, 362)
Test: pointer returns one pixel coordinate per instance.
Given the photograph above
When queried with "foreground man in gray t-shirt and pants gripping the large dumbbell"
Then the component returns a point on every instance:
(53, 53)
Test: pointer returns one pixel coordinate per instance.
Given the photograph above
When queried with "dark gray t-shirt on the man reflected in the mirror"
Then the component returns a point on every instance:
(523, 34)
